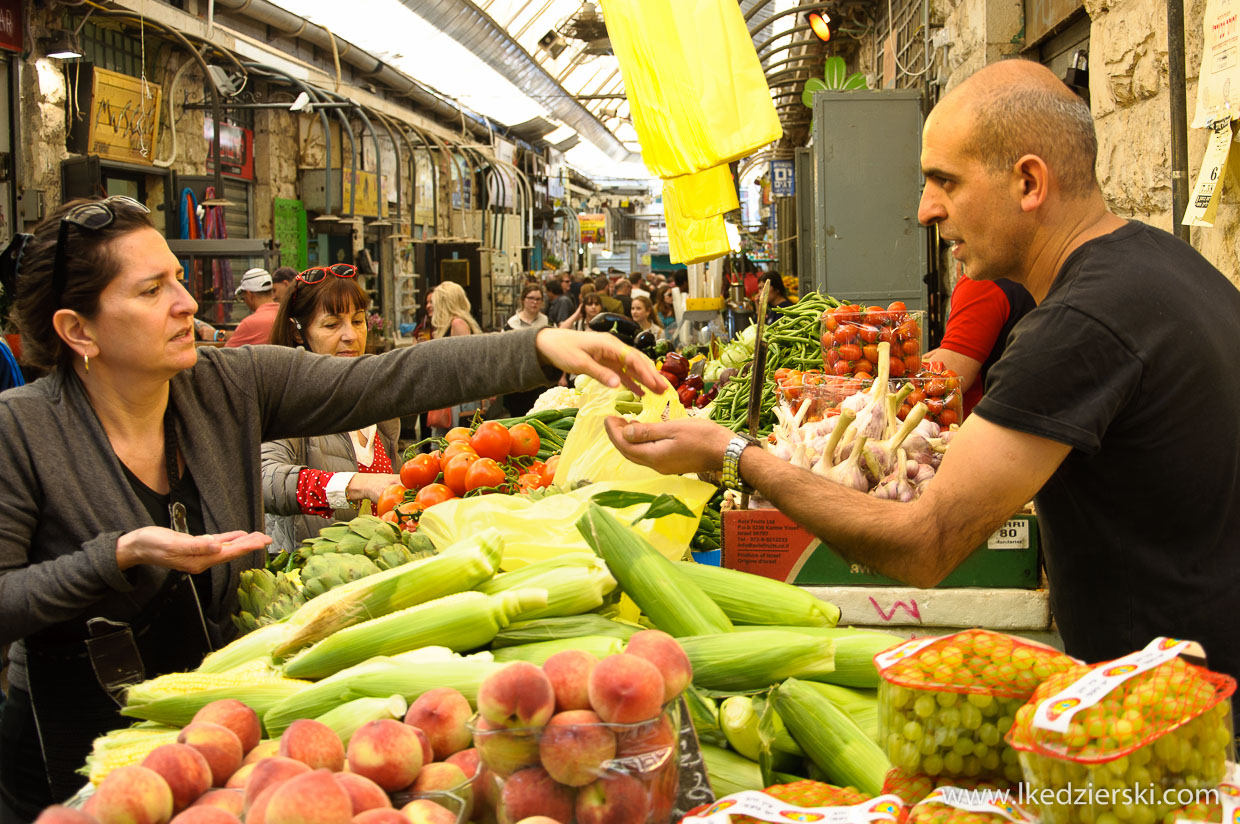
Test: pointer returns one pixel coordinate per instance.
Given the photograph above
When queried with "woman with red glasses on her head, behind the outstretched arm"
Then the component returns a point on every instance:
(311, 481)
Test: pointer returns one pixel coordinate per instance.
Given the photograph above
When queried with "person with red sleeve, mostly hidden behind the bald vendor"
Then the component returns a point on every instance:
(983, 315)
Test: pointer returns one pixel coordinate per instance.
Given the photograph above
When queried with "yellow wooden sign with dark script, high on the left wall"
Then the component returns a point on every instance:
(125, 118)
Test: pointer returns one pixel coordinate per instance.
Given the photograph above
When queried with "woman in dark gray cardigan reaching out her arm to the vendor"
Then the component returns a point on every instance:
(131, 495)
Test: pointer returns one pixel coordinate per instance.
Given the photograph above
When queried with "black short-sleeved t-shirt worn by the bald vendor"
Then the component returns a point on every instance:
(1133, 361)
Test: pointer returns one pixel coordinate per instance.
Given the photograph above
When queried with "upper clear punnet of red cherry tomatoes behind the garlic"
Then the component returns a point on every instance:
(851, 335)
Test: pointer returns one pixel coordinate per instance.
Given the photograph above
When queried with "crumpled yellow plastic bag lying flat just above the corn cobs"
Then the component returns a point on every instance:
(535, 531)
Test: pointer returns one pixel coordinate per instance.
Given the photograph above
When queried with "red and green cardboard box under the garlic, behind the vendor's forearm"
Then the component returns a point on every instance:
(767, 542)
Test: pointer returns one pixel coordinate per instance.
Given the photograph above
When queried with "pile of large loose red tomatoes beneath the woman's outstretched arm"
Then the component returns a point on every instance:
(493, 458)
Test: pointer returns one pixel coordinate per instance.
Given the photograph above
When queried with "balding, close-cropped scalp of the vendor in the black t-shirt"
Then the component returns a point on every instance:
(1016, 108)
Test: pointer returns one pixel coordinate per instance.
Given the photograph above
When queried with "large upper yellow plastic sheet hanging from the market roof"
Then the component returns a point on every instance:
(695, 86)
